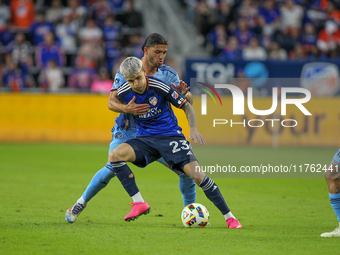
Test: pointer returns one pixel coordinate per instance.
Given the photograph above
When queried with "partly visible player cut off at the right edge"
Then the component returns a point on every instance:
(332, 176)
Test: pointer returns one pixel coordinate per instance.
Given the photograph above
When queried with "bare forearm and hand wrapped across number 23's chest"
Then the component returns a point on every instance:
(117, 106)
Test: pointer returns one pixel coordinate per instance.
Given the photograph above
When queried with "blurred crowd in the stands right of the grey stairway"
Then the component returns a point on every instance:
(267, 29)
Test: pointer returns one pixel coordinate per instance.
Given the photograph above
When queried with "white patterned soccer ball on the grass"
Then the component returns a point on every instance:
(195, 215)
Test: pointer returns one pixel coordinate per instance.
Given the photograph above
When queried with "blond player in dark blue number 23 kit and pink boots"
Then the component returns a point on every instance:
(158, 135)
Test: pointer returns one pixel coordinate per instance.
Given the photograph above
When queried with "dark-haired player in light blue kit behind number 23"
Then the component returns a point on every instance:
(155, 49)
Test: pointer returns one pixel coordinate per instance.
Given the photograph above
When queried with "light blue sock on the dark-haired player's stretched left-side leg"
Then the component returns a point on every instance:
(99, 181)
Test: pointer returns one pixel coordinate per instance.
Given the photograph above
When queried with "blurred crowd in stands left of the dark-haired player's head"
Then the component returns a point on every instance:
(72, 44)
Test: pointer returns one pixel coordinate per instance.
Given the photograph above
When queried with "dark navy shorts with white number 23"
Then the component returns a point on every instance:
(175, 150)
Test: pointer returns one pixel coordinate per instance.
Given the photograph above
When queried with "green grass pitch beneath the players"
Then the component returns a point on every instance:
(39, 182)
